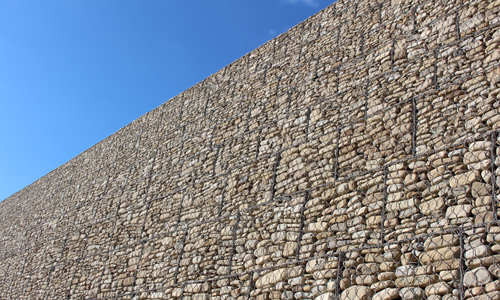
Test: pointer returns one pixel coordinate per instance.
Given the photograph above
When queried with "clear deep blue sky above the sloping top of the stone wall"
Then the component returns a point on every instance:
(74, 72)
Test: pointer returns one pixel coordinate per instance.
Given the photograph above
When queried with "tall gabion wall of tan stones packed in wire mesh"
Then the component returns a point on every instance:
(354, 157)
